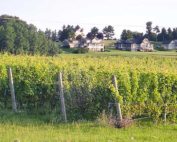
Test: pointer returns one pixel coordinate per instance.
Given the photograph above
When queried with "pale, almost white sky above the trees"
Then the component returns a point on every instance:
(122, 14)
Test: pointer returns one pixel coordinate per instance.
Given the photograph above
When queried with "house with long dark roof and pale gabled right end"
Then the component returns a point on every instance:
(134, 45)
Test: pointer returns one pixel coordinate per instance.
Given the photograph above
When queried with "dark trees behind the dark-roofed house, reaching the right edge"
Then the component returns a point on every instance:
(152, 33)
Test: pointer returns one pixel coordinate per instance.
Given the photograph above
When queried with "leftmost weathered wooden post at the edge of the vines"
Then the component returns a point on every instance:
(12, 90)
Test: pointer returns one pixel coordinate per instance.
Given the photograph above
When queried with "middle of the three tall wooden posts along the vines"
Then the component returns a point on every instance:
(61, 94)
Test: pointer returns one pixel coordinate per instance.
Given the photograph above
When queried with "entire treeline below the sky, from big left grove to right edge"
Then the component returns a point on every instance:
(18, 37)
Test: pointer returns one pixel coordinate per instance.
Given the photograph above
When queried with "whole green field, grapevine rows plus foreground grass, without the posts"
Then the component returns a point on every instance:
(142, 78)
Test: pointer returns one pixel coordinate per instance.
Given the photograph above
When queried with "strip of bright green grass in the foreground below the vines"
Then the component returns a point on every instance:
(23, 128)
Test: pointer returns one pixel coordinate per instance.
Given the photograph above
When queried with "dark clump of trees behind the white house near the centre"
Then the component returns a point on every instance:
(71, 32)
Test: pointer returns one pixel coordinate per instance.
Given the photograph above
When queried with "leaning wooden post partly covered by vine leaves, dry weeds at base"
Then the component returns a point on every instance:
(118, 109)
